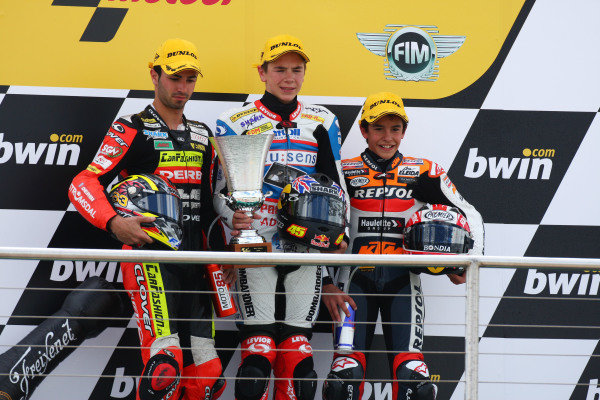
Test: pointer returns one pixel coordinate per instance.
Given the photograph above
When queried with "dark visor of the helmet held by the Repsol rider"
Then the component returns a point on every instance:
(438, 237)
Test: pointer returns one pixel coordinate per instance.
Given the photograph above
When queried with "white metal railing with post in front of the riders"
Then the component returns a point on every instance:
(471, 263)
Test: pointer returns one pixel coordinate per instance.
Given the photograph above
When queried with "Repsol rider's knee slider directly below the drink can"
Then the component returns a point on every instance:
(344, 379)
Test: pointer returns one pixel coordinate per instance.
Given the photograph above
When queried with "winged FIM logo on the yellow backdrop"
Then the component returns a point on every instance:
(412, 52)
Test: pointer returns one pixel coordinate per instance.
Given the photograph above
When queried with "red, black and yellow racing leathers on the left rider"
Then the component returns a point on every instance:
(143, 143)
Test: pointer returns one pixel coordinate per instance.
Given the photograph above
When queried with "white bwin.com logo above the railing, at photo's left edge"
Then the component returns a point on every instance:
(31, 153)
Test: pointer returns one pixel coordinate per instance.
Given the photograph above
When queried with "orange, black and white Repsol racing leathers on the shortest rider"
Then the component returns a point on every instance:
(384, 194)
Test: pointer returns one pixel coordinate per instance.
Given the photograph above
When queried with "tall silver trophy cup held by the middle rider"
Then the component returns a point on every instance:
(243, 159)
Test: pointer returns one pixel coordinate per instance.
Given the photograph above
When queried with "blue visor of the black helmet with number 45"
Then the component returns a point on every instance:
(317, 207)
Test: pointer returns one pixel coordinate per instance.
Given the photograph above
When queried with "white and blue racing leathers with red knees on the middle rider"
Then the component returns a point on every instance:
(306, 140)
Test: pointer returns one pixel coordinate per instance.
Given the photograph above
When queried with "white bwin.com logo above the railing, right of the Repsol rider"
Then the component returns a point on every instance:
(503, 167)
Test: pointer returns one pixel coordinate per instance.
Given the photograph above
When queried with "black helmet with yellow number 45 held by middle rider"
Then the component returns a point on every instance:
(311, 211)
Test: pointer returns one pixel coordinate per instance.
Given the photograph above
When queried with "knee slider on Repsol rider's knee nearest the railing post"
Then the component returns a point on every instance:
(414, 382)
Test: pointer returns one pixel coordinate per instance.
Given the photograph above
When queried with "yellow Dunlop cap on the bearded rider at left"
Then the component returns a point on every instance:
(175, 55)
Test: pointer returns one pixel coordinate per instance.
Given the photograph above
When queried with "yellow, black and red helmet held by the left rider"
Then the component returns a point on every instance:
(151, 195)
